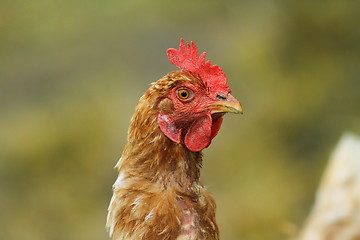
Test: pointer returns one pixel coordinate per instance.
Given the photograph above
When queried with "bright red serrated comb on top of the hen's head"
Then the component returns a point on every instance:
(188, 59)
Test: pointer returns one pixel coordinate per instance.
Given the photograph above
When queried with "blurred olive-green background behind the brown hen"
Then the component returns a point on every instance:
(71, 73)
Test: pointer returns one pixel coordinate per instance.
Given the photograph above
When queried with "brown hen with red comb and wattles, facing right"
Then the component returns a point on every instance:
(157, 194)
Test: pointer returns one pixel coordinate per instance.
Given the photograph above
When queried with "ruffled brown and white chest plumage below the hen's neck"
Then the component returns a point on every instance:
(153, 212)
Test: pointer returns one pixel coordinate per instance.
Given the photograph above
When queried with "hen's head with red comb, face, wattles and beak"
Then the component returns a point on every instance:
(193, 99)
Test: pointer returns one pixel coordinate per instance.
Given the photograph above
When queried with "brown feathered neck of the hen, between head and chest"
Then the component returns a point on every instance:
(150, 156)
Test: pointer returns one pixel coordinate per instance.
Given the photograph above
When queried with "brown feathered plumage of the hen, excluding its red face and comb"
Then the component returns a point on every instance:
(157, 194)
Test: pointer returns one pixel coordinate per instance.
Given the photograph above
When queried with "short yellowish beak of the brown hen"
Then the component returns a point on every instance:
(226, 105)
